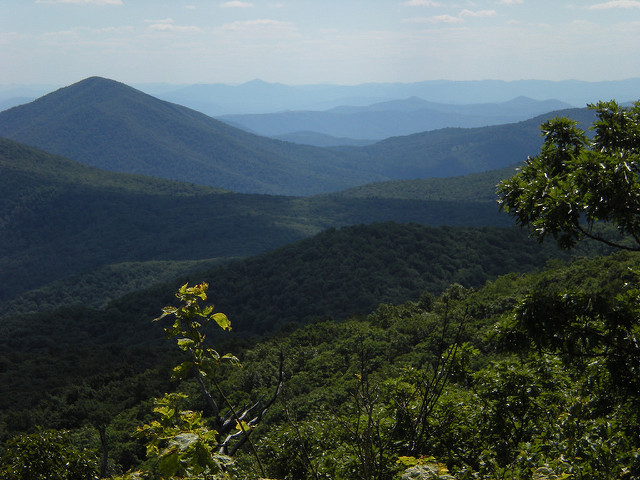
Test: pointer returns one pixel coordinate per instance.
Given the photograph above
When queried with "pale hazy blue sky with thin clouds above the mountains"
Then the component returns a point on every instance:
(316, 41)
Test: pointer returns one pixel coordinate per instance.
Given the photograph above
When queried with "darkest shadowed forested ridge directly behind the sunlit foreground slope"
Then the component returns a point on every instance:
(331, 276)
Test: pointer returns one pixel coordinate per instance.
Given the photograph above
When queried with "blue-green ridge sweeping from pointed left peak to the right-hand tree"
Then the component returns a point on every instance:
(107, 124)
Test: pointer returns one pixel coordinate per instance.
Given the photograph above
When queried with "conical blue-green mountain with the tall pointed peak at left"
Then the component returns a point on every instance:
(107, 124)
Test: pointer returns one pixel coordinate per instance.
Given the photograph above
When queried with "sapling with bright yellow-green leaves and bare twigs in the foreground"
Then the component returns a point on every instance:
(180, 441)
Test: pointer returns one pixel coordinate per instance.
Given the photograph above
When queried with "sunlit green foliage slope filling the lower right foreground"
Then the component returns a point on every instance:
(465, 378)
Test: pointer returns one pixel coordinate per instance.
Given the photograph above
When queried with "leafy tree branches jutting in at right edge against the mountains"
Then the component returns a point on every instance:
(575, 183)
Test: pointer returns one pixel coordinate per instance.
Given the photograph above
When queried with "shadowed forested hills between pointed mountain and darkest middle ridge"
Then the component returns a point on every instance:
(60, 218)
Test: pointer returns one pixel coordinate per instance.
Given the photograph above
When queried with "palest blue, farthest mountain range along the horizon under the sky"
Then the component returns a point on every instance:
(262, 97)
